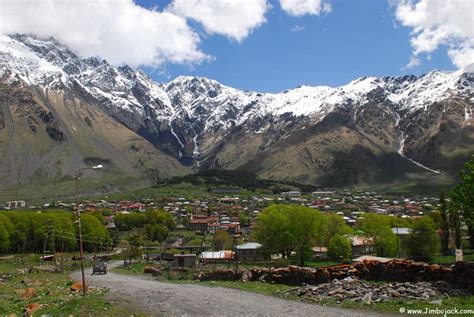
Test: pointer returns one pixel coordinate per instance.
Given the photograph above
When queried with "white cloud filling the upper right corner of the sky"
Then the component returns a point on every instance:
(436, 23)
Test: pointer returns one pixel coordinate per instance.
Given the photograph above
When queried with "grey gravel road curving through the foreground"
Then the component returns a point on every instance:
(166, 299)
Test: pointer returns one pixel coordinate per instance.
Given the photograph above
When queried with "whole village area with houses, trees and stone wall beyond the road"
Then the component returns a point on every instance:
(365, 249)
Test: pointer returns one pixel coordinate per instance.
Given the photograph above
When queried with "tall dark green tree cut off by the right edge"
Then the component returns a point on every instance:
(462, 203)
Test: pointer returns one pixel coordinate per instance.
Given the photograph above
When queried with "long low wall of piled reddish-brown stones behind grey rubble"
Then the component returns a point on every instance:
(461, 274)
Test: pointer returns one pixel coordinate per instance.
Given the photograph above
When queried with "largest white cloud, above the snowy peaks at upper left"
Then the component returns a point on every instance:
(117, 30)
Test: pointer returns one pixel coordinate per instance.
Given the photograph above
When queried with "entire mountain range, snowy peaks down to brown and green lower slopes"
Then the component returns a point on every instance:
(59, 111)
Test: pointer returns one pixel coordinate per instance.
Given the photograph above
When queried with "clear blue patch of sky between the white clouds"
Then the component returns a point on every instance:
(357, 38)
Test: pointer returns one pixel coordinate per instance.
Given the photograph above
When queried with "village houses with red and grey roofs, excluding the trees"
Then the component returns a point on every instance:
(235, 215)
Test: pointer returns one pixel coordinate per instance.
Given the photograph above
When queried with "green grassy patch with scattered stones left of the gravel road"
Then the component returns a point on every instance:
(53, 293)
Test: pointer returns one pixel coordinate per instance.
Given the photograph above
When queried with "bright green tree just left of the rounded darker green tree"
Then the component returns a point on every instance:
(378, 227)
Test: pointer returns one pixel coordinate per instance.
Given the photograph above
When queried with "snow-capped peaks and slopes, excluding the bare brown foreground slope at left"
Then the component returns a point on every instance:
(420, 123)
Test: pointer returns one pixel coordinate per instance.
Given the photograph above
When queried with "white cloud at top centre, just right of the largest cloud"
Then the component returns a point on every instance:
(234, 19)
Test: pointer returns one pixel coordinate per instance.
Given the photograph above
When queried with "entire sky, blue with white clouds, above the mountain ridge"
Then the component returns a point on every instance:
(253, 44)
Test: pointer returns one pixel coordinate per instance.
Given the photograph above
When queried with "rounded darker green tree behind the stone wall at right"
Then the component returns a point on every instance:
(422, 243)
